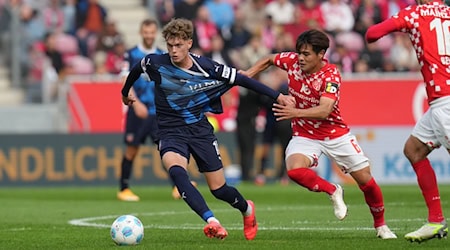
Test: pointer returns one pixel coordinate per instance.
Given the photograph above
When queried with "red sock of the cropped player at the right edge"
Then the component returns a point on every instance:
(426, 179)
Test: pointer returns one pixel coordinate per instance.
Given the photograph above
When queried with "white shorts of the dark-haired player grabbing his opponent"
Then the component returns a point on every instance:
(345, 151)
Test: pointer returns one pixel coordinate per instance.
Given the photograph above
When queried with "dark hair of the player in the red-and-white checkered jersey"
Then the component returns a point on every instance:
(316, 38)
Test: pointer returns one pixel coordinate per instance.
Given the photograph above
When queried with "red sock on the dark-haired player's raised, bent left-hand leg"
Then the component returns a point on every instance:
(309, 179)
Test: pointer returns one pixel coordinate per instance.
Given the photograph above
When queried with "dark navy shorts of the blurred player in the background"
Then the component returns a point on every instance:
(137, 129)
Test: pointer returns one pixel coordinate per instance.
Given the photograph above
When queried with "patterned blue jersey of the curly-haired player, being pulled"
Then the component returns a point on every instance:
(183, 96)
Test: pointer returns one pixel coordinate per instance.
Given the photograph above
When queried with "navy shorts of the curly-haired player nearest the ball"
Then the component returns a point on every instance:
(197, 139)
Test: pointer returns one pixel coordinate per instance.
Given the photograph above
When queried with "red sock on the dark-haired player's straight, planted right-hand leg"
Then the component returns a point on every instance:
(374, 199)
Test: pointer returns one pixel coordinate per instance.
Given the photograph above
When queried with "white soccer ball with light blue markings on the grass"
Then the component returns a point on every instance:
(127, 230)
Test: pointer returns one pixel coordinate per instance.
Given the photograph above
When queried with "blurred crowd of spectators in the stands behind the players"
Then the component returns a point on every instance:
(79, 37)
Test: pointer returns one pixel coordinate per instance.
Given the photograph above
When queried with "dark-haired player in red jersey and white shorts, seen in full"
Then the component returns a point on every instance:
(318, 127)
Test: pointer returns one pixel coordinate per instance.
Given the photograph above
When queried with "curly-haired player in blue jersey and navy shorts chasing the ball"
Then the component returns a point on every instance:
(187, 86)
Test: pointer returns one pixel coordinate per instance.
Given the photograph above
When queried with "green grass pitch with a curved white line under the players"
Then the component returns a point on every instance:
(289, 217)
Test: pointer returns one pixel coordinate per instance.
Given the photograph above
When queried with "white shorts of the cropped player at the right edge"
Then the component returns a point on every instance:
(433, 128)
